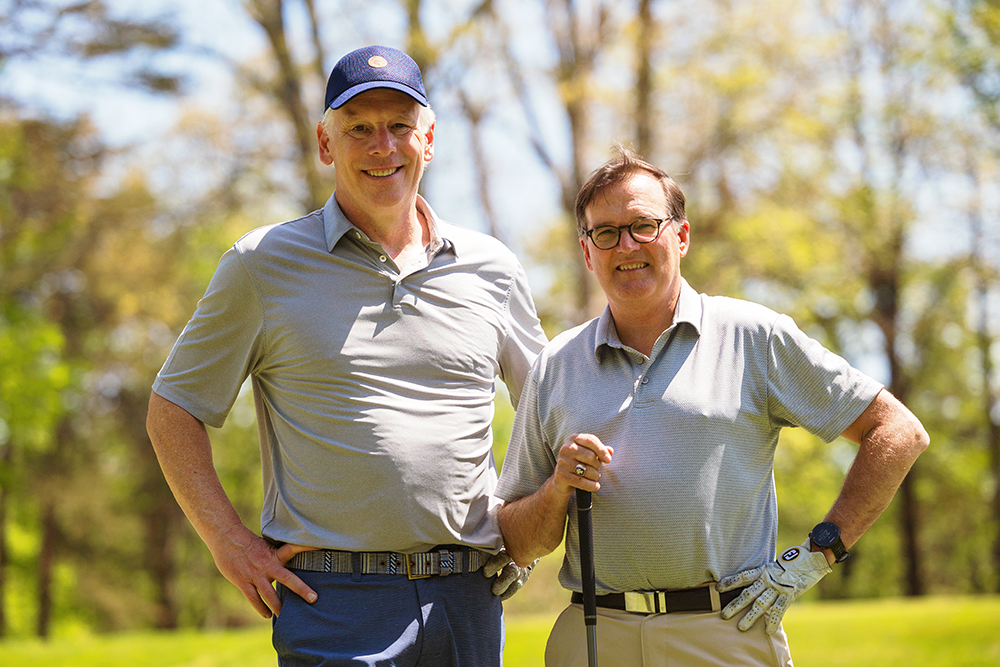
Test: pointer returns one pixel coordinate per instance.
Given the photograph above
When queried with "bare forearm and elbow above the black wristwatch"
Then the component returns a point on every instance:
(890, 439)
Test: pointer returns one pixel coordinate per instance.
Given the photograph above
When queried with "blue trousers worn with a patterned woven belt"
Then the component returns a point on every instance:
(385, 620)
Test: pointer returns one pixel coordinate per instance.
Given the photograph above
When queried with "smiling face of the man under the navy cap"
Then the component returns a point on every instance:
(379, 153)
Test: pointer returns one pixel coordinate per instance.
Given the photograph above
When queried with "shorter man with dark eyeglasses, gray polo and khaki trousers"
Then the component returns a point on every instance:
(668, 409)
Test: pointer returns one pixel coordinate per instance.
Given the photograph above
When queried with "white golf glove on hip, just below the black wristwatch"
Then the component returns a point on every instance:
(773, 587)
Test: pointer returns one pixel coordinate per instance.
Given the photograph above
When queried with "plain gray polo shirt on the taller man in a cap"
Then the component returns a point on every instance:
(374, 383)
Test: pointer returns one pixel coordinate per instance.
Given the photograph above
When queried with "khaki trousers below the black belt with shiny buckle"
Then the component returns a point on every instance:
(625, 639)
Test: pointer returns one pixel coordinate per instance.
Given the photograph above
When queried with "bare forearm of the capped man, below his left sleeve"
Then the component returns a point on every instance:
(184, 452)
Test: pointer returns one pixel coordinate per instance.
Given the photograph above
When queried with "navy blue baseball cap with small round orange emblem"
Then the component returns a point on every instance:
(374, 67)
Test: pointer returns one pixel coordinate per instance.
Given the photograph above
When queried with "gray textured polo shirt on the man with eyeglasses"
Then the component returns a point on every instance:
(689, 495)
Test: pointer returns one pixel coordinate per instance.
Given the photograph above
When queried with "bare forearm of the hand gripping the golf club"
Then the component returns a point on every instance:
(534, 526)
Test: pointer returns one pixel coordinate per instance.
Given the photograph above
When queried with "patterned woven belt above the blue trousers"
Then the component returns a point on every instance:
(440, 562)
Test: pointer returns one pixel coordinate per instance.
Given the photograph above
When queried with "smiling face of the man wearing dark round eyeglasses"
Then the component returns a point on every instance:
(634, 275)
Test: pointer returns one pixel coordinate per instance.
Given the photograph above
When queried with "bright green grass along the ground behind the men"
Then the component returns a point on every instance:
(926, 632)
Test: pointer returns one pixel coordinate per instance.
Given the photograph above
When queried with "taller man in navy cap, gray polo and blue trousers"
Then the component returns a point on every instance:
(372, 332)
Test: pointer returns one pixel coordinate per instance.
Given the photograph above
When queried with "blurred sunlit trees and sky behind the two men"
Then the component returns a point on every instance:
(840, 162)
